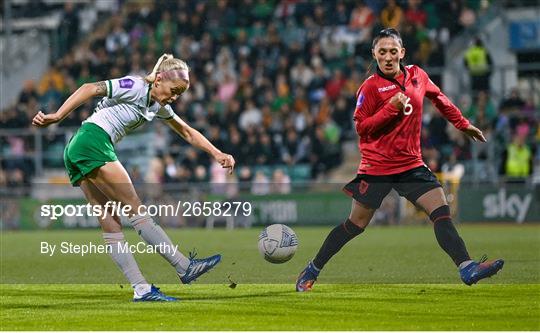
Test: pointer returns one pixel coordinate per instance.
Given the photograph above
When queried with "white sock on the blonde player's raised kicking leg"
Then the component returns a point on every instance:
(153, 234)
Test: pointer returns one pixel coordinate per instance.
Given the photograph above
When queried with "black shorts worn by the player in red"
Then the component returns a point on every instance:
(411, 184)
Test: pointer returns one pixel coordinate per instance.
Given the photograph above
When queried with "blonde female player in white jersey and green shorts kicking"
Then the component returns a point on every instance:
(91, 161)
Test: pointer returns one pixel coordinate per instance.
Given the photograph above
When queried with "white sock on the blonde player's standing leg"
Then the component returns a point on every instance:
(124, 260)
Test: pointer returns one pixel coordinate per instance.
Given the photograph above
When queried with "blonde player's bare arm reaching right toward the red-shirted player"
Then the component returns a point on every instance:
(196, 139)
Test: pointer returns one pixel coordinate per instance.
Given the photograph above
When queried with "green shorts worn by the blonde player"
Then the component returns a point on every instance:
(90, 148)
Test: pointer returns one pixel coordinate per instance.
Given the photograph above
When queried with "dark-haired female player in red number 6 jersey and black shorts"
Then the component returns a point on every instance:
(388, 119)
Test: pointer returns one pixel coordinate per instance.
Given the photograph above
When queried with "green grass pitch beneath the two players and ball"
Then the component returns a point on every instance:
(389, 278)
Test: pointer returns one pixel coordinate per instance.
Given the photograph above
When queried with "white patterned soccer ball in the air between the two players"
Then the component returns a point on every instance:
(277, 243)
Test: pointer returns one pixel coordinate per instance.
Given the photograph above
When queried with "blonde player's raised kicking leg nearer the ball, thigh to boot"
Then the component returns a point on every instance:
(113, 180)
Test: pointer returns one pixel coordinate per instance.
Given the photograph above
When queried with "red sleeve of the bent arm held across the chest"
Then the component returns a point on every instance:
(367, 118)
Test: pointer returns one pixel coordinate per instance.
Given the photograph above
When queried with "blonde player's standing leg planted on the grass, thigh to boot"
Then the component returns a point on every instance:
(114, 238)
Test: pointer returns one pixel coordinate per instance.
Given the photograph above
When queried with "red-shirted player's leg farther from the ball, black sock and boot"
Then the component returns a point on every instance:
(435, 205)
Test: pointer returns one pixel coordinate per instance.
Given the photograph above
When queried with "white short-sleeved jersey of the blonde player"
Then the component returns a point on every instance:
(126, 107)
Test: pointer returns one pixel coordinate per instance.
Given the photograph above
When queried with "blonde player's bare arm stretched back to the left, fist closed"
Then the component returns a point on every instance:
(80, 96)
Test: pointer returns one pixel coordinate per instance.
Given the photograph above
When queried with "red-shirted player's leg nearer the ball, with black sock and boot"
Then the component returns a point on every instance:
(336, 239)
